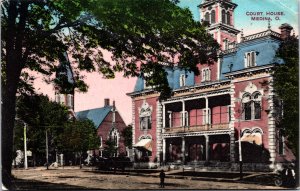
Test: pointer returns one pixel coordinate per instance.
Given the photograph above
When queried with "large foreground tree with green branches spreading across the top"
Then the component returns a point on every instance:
(35, 33)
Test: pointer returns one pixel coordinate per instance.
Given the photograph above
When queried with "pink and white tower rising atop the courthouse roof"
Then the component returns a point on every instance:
(220, 16)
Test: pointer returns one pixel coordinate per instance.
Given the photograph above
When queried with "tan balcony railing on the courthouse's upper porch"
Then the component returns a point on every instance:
(209, 127)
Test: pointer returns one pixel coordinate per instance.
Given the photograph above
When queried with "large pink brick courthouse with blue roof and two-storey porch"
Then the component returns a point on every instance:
(231, 100)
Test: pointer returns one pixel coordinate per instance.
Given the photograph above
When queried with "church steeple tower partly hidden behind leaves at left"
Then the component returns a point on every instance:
(64, 84)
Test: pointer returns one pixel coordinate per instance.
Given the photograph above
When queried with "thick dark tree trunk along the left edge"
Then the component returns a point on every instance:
(14, 63)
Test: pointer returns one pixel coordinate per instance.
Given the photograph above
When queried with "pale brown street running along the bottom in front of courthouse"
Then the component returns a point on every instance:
(86, 178)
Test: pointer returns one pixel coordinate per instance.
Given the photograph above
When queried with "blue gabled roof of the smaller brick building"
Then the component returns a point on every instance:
(96, 115)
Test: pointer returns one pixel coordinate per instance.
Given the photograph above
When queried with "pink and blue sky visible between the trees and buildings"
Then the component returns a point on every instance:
(116, 89)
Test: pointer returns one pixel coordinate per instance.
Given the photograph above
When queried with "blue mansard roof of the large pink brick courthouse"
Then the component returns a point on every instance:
(264, 43)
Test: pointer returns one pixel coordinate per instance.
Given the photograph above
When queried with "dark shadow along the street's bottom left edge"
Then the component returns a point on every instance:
(21, 184)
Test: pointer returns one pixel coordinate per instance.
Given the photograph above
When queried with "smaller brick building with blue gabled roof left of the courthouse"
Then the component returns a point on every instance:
(109, 124)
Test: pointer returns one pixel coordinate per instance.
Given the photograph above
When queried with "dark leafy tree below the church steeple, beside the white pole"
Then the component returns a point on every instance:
(40, 115)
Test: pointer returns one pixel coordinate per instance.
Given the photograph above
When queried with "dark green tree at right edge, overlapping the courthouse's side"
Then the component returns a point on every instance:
(286, 86)
